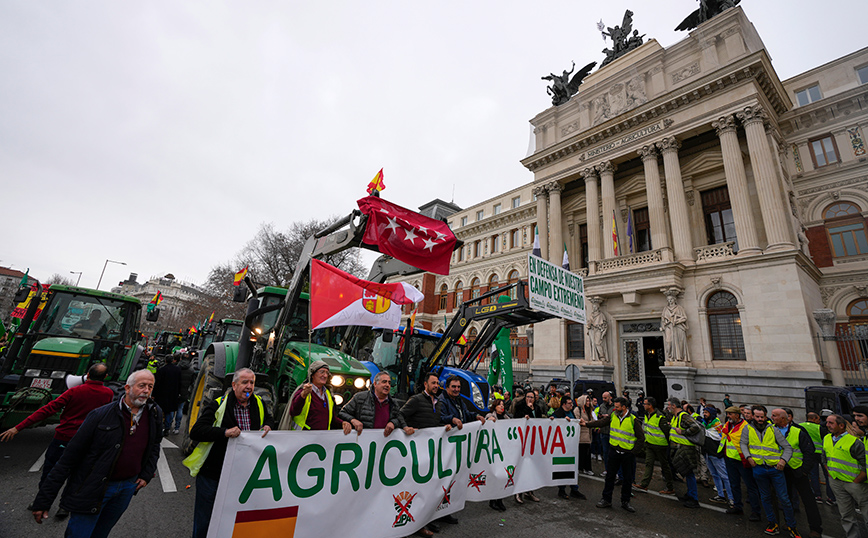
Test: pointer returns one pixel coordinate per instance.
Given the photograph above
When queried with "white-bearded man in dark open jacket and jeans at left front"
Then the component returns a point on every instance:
(112, 456)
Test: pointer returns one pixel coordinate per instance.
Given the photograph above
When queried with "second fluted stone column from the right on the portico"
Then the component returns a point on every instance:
(736, 182)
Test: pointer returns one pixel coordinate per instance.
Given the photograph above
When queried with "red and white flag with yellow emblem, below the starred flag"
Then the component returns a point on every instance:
(339, 298)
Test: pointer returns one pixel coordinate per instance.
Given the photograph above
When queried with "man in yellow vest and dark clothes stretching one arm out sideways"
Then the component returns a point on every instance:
(626, 439)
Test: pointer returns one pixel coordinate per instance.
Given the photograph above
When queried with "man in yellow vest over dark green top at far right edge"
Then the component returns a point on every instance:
(844, 457)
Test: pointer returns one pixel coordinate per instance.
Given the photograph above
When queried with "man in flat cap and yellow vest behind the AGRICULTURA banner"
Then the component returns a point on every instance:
(312, 406)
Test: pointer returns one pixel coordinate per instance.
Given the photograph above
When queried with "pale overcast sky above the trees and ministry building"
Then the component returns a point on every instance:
(162, 133)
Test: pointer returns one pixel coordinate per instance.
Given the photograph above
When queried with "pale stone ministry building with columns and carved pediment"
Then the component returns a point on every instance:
(714, 210)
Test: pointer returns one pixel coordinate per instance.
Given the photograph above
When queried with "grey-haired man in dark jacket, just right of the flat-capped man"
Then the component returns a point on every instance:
(375, 408)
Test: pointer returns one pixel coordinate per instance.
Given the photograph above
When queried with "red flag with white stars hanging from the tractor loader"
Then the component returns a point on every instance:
(421, 241)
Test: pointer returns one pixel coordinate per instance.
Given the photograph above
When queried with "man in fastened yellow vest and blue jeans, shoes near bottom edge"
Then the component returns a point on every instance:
(767, 451)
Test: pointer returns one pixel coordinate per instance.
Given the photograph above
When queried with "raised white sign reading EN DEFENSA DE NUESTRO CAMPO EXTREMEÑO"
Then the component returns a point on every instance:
(555, 290)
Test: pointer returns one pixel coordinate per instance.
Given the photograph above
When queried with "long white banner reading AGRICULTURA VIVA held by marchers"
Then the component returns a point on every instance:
(325, 483)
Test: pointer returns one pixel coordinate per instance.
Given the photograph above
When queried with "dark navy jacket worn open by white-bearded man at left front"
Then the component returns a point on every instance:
(90, 457)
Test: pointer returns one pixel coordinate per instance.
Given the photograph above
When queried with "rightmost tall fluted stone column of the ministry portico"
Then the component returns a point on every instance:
(775, 218)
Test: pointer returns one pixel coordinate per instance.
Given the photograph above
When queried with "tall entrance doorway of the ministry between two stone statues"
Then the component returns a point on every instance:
(641, 345)
